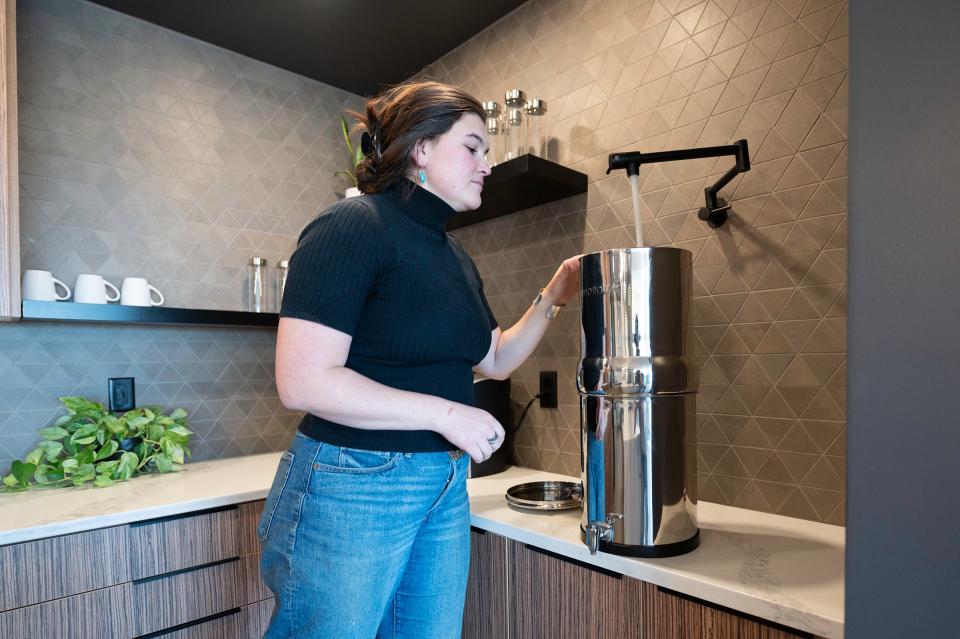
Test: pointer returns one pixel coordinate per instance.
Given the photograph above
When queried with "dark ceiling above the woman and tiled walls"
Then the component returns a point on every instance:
(357, 45)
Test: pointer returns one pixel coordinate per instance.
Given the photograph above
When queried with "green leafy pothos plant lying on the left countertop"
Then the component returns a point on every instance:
(91, 445)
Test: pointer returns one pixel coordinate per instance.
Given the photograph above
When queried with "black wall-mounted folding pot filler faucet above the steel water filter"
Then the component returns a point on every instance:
(715, 212)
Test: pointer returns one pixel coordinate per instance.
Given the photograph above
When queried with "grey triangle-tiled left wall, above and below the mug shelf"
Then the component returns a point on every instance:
(147, 153)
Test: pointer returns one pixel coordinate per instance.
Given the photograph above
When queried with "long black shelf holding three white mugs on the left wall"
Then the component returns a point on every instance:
(119, 314)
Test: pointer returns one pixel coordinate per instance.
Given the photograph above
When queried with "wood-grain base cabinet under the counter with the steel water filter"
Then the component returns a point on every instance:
(516, 591)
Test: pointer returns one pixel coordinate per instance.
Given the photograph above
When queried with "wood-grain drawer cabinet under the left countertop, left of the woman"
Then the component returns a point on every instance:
(185, 576)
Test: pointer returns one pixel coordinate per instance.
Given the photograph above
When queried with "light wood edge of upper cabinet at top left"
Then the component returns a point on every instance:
(9, 201)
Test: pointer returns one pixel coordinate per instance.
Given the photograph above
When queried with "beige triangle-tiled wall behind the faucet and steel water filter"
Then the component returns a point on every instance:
(770, 286)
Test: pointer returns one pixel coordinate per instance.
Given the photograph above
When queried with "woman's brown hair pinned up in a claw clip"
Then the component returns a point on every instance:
(399, 118)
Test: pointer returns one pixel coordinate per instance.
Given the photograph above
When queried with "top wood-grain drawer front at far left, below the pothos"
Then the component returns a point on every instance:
(36, 571)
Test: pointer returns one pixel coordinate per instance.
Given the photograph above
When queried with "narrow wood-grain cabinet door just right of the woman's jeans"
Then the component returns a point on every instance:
(486, 612)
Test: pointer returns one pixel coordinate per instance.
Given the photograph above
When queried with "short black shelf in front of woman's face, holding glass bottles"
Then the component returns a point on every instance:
(520, 183)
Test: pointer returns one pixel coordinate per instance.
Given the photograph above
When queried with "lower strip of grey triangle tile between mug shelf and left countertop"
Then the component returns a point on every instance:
(234, 424)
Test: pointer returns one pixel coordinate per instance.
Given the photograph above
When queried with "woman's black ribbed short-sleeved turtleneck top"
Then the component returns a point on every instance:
(382, 269)
